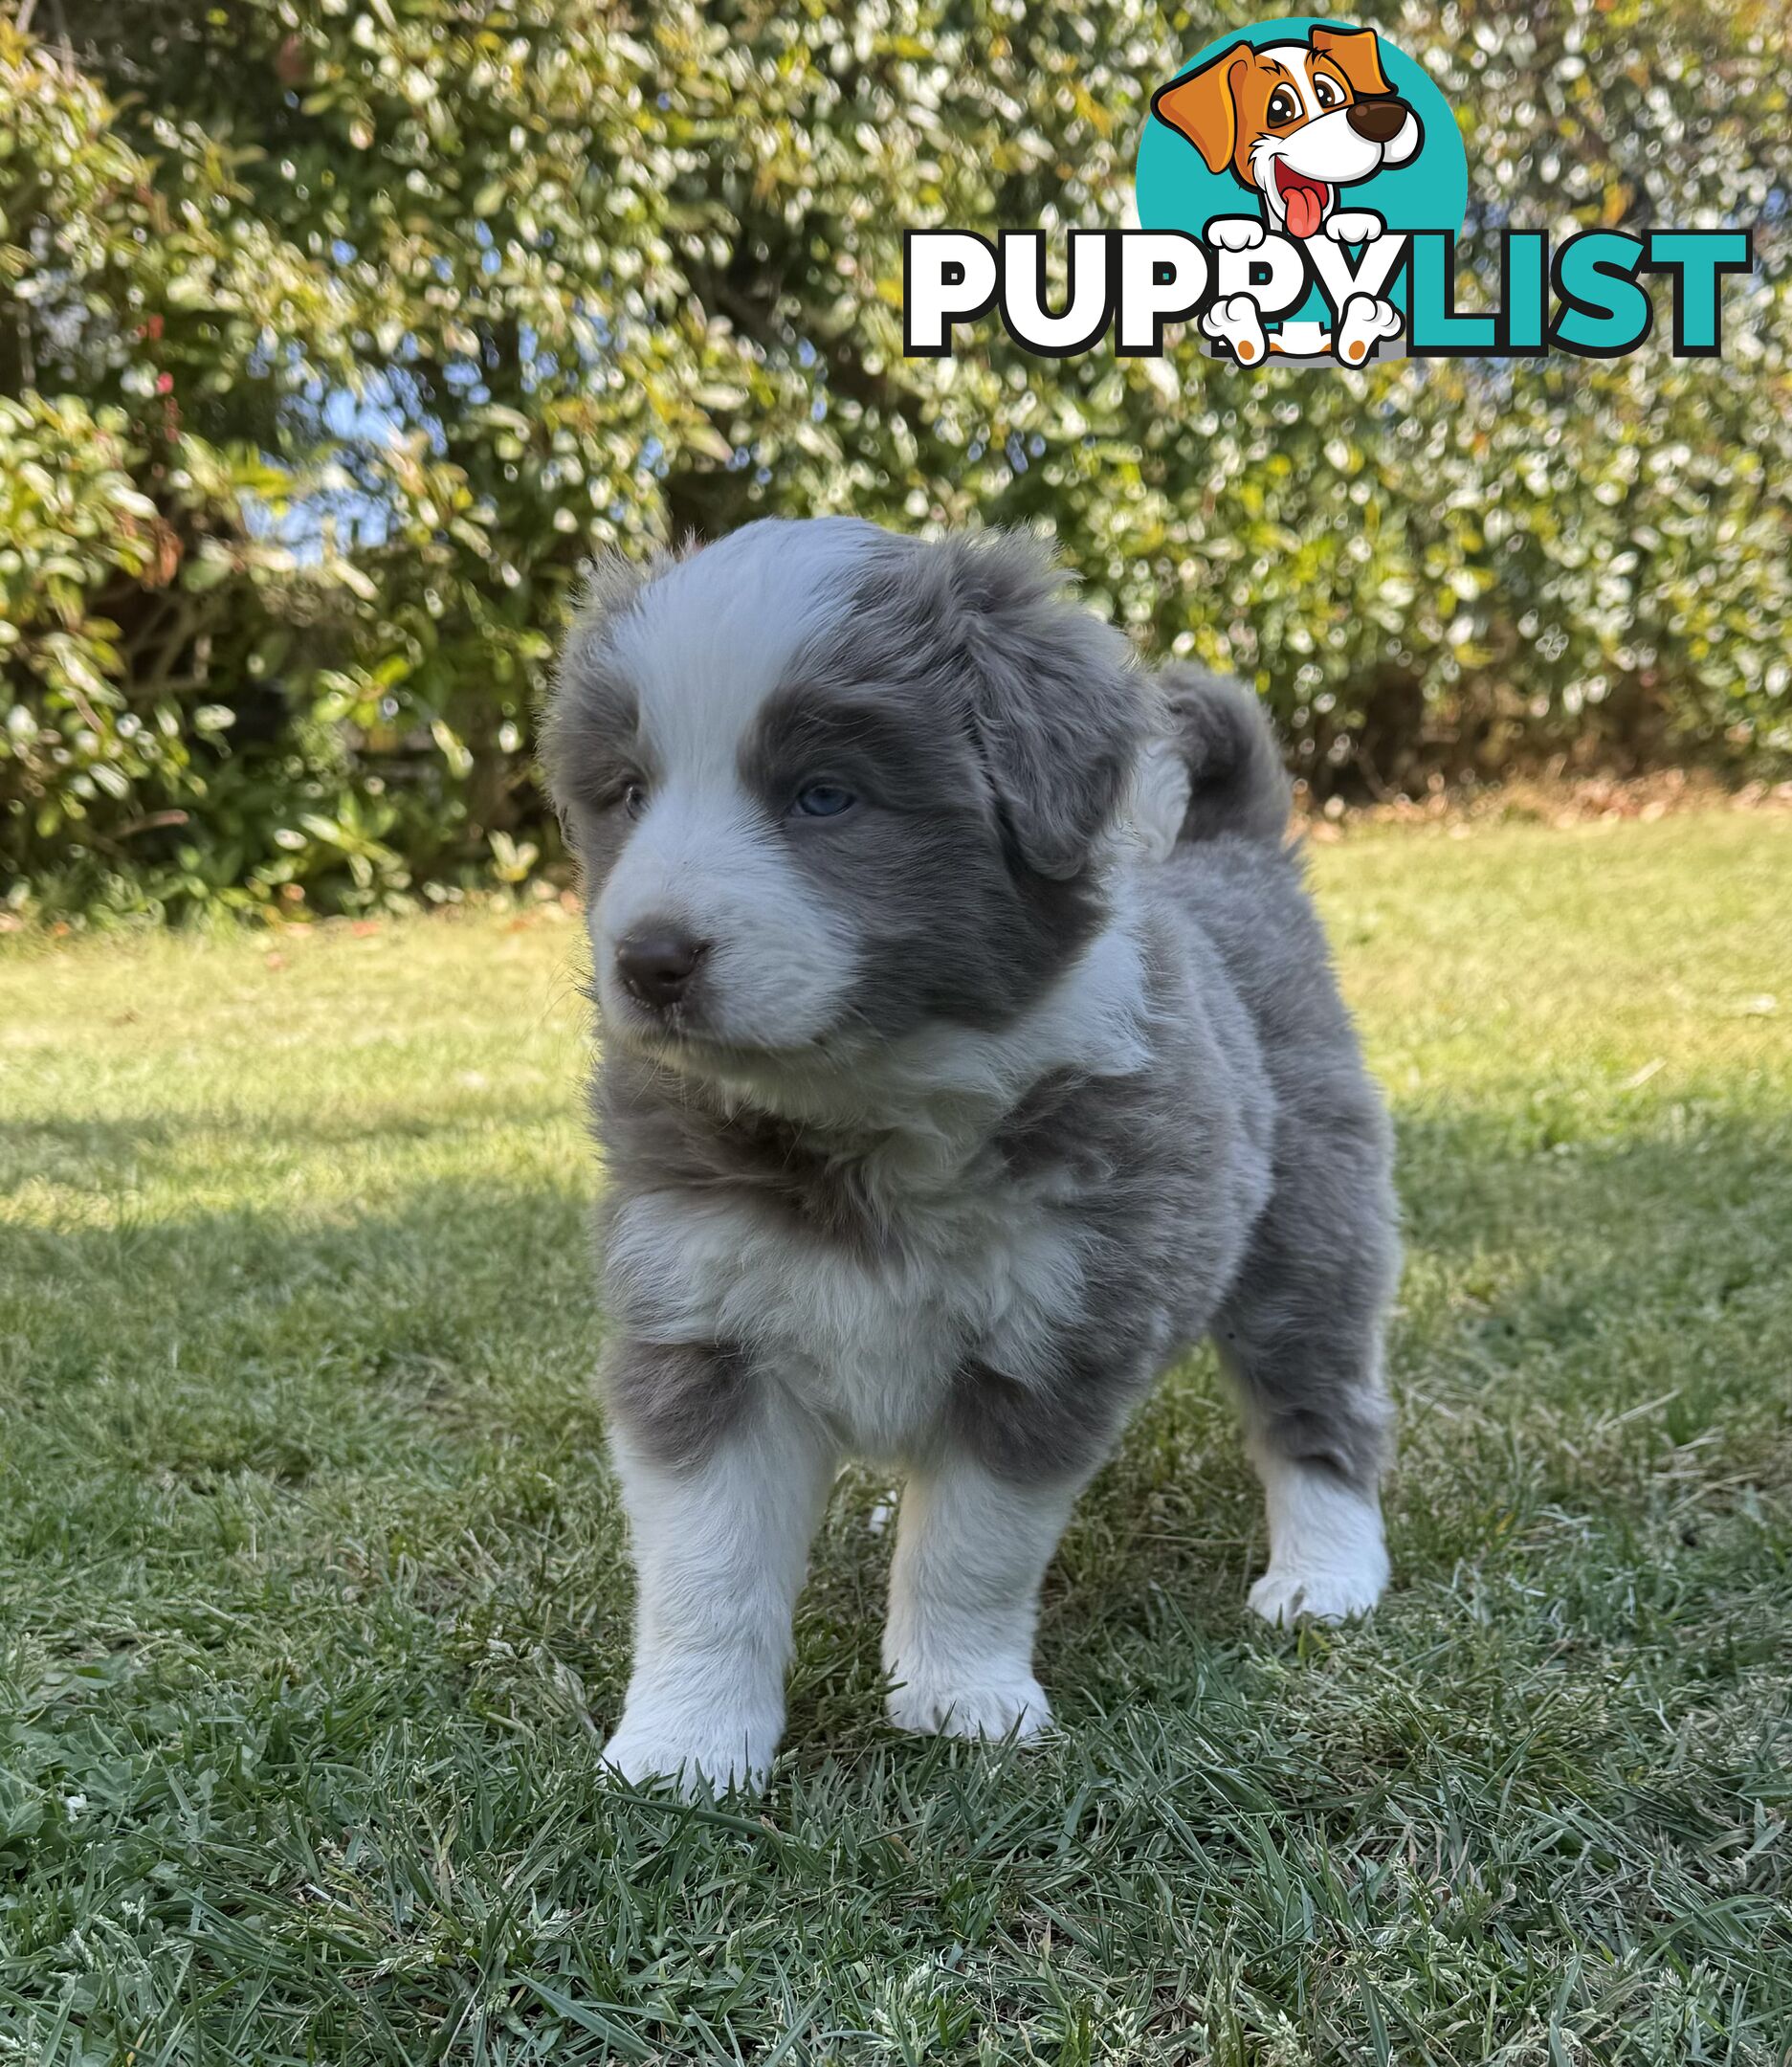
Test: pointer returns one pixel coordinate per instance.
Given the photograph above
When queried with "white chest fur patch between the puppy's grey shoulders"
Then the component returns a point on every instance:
(869, 1336)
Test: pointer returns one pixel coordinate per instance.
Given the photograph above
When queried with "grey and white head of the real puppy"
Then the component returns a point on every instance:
(830, 784)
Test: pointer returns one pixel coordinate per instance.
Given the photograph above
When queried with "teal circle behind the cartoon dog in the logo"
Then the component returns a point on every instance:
(1177, 191)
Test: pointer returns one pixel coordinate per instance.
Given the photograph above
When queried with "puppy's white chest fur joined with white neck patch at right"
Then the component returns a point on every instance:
(958, 1260)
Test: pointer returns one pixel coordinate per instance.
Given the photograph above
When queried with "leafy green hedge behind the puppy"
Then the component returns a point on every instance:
(334, 334)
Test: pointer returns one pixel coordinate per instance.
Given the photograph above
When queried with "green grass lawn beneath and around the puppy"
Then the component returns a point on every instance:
(313, 1599)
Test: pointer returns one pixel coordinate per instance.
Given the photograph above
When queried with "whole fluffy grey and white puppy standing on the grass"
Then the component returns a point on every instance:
(970, 1051)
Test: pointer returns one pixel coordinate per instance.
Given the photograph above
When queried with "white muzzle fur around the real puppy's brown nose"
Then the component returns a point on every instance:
(780, 960)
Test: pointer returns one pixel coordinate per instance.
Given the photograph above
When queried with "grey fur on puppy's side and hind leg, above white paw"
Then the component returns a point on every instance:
(1239, 1187)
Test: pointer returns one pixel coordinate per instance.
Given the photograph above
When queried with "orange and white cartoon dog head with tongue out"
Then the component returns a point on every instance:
(1295, 121)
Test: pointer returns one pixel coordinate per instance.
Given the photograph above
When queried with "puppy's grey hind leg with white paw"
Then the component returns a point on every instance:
(1301, 1336)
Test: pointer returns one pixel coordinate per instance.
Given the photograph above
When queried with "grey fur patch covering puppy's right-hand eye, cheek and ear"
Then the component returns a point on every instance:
(991, 729)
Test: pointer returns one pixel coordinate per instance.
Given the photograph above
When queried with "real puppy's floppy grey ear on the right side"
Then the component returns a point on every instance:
(1055, 706)
